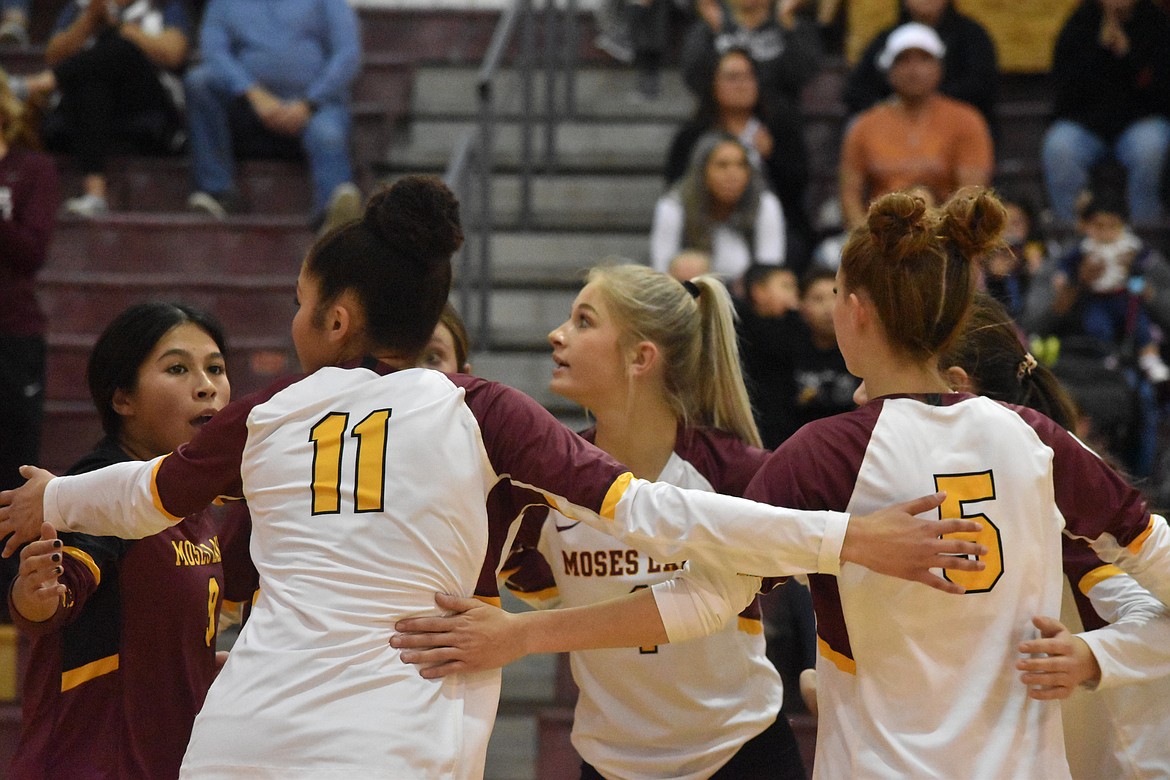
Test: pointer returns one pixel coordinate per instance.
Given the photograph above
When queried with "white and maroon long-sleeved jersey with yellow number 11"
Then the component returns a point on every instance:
(369, 492)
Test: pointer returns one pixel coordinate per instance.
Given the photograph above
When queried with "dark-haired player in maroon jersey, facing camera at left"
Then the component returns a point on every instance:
(122, 634)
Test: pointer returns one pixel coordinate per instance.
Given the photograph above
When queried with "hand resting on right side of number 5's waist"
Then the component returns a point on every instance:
(1058, 662)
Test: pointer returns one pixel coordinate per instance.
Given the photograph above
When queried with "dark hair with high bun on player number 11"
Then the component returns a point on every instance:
(396, 260)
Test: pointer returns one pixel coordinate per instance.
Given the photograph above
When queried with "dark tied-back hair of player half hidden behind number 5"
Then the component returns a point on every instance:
(993, 354)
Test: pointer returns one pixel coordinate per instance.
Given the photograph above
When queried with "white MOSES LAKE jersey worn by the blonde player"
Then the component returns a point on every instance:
(678, 710)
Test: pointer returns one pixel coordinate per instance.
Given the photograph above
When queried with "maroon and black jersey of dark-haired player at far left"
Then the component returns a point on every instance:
(116, 678)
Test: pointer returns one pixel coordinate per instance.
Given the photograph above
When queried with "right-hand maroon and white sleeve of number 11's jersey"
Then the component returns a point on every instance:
(531, 447)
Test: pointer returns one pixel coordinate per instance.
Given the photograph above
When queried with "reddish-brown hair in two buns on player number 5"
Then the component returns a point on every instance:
(917, 264)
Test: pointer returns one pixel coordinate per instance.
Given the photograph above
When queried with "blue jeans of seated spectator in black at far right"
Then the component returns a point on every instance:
(1070, 150)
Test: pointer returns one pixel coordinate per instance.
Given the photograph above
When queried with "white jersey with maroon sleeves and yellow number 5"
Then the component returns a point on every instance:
(917, 684)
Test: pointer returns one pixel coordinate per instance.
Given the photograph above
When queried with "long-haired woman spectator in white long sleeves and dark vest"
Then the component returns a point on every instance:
(722, 208)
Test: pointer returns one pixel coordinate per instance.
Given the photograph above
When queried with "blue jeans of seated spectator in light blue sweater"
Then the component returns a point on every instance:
(212, 113)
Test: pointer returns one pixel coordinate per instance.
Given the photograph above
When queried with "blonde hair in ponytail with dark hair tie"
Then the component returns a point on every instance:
(694, 330)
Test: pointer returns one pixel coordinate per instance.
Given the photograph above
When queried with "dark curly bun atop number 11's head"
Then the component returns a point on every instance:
(419, 216)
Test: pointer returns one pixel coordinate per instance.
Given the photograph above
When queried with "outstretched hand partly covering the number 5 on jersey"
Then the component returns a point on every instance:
(894, 542)
